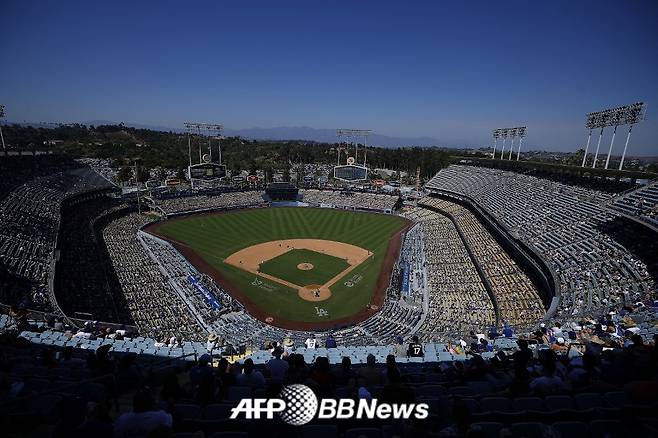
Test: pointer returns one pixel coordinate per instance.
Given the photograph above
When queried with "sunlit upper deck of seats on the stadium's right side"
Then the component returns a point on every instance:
(569, 226)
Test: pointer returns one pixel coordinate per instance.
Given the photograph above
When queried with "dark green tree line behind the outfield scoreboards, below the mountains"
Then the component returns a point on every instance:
(123, 145)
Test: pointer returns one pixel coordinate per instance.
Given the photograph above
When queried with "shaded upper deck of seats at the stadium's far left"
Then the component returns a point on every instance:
(31, 193)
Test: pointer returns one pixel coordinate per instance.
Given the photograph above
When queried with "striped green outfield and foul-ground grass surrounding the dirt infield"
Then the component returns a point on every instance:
(215, 237)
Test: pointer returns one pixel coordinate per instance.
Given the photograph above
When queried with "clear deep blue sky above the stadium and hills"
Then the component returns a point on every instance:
(449, 71)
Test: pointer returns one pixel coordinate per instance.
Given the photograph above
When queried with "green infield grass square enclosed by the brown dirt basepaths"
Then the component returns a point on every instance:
(325, 267)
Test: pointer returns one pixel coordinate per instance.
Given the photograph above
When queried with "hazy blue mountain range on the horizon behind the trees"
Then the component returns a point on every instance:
(279, 134)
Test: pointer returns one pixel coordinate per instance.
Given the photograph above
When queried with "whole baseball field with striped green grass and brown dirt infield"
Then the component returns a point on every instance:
(298, 268)
